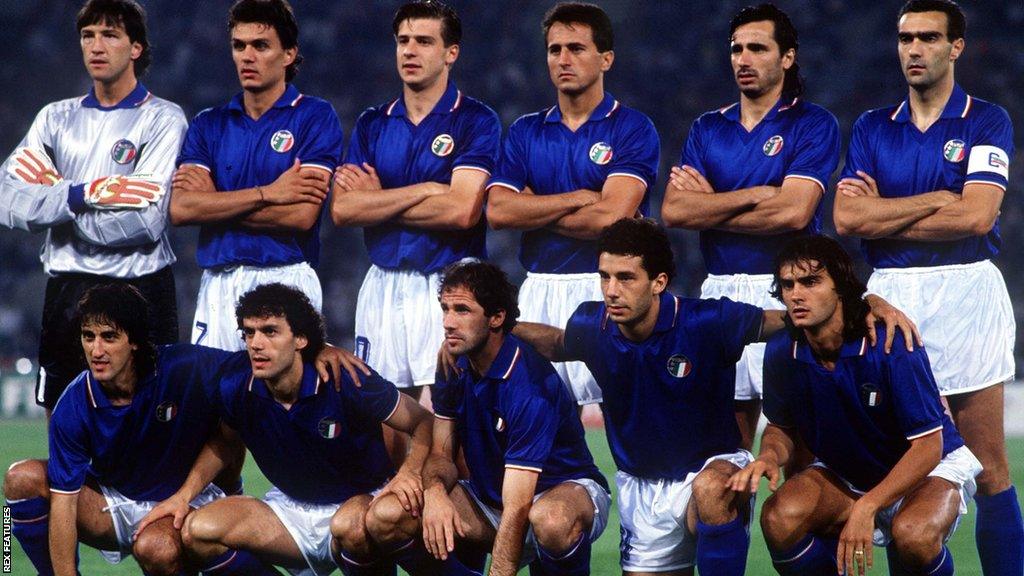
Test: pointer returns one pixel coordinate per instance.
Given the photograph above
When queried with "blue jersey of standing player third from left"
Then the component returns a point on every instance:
(460, 134)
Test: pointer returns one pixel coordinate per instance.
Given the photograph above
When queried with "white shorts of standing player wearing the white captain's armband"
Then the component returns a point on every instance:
(965, 317)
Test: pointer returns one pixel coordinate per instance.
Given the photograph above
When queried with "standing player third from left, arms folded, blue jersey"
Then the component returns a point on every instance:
(414, 177)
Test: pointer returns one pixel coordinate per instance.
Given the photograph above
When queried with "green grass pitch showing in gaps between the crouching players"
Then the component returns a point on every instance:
(27, 439)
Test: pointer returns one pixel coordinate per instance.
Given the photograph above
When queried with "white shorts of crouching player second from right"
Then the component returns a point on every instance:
(655, 537)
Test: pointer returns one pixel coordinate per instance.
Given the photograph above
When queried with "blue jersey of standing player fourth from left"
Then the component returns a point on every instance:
(545, 156)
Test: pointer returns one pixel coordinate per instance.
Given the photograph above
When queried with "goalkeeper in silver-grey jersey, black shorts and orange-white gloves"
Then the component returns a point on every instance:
(74, 177)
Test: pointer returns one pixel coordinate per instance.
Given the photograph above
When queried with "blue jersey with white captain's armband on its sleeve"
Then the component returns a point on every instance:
(972, 142)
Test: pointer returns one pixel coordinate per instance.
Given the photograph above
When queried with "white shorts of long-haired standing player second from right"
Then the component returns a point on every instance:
(750, 290)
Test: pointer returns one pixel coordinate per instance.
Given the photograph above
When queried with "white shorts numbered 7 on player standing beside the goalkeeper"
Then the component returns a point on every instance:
(220, 292)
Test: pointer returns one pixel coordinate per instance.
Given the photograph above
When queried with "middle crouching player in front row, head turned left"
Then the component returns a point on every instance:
(534, 495)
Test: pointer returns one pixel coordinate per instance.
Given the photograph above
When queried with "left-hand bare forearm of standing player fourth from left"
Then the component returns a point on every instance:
(525, 211)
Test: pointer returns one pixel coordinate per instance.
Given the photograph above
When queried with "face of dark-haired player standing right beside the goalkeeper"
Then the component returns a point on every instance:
(260, 58)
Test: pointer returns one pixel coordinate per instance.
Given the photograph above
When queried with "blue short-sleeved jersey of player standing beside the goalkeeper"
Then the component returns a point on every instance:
(242, 153)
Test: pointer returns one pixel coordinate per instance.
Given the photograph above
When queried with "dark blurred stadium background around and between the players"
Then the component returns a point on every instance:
(671, 63)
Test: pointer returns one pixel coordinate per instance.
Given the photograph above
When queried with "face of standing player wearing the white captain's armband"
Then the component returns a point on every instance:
(926, 55)
